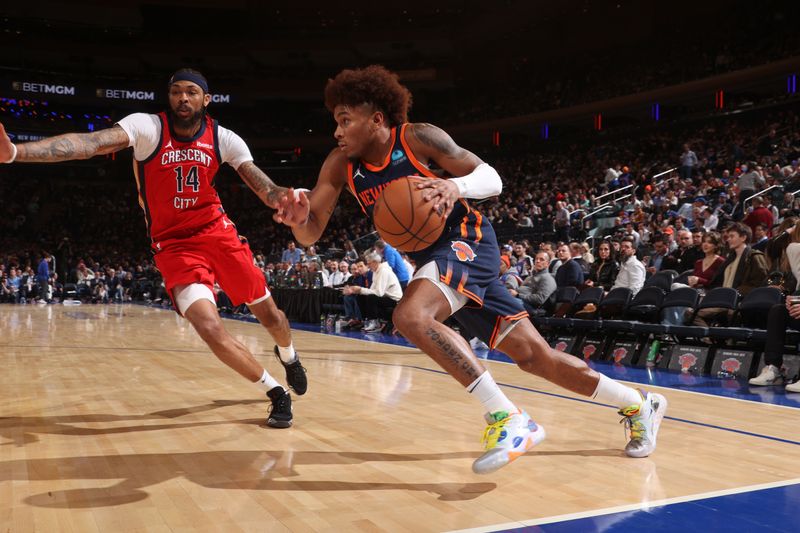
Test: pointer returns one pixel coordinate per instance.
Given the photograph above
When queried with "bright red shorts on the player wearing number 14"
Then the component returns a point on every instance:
(218, 254)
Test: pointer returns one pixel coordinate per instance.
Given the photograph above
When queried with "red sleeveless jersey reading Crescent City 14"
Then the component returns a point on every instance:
(176, 183)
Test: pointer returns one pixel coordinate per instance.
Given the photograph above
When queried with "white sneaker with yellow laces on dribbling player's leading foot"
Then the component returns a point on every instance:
(507, 437)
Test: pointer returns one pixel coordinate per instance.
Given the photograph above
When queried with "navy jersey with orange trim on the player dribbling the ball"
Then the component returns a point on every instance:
(368, 181)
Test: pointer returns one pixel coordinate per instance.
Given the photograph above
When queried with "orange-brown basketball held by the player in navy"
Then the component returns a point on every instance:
(404, 219)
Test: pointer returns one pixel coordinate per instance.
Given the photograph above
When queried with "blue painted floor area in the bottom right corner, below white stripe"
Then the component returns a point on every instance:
(772, 509)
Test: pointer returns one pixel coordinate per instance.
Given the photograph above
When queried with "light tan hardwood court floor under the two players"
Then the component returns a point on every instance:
(118, 418)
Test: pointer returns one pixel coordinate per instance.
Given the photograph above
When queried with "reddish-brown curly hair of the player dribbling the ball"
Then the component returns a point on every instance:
(373, 85)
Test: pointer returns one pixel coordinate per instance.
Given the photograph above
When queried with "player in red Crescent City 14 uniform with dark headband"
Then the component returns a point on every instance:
(176, 157)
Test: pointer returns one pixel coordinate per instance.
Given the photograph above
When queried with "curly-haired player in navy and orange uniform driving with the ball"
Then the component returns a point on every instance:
(457, 275)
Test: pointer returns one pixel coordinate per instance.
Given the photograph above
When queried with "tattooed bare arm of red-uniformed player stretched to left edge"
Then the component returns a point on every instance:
(64, 147)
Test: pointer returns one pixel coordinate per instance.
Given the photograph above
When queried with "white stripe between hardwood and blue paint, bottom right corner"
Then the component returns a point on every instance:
(630, 507)
